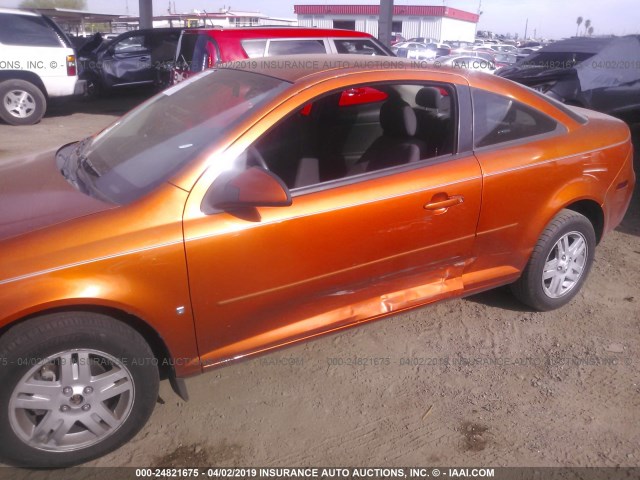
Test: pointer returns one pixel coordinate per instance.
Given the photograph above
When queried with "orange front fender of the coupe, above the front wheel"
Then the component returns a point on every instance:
(128, 259)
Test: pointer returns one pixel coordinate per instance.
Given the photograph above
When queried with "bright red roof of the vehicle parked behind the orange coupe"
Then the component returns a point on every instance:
(288, 32)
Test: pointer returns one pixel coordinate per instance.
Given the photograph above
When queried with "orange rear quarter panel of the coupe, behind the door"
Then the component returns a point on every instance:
(527, 184)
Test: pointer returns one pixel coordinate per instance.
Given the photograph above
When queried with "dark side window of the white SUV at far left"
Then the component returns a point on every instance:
(27, 30)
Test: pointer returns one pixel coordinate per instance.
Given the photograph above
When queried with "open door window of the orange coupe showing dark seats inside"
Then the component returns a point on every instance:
(359, 130)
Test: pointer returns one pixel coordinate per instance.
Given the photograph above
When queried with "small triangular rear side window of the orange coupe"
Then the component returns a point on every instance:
(498, 119)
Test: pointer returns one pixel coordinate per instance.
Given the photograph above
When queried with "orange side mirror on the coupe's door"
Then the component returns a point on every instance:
(253, 187)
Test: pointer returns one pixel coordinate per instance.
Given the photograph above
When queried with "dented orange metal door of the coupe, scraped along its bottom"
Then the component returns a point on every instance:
(347, 249)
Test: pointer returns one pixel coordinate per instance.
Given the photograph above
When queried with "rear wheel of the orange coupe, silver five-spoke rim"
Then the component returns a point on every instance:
(548, 291)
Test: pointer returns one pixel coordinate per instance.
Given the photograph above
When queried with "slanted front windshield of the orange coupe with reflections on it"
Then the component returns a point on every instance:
(151, 143)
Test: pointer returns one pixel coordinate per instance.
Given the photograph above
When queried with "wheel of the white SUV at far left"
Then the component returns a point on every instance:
(21, 102)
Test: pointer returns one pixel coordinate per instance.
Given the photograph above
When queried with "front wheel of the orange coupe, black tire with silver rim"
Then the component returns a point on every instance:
(60, 430)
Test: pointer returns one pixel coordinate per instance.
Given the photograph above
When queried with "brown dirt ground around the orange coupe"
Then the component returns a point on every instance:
(474, 382)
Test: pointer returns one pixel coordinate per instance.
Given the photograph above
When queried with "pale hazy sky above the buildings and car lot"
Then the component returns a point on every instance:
(547, 18)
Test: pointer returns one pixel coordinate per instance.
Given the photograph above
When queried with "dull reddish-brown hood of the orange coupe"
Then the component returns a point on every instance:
(34, 195)
